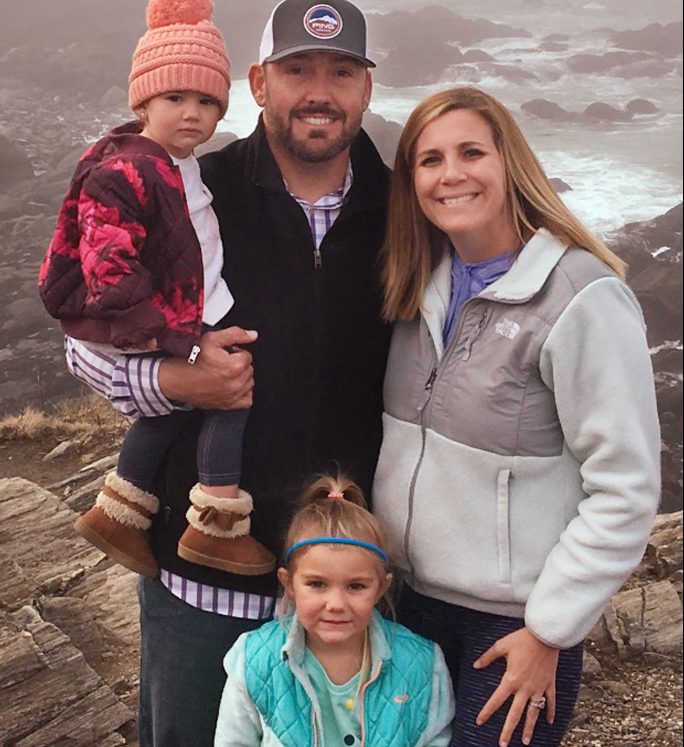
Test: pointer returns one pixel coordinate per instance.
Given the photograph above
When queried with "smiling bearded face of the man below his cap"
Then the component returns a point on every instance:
(313, 103)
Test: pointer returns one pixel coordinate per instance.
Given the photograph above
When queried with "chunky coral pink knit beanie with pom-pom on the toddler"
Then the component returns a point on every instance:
(182, 50)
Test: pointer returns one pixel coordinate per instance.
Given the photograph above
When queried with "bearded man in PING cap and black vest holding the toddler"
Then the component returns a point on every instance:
(301, 206)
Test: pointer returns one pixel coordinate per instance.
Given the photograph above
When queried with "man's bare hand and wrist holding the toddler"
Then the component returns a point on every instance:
(221, 378)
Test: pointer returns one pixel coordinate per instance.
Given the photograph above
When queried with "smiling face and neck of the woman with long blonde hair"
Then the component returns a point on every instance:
(459, 178)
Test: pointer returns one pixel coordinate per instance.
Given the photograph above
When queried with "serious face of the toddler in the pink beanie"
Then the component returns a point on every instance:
(180, 120)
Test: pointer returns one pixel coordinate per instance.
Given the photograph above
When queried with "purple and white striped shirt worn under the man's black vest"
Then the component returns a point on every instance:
(131, 384)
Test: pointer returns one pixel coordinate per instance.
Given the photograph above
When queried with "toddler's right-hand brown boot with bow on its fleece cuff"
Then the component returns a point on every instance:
(218, 535)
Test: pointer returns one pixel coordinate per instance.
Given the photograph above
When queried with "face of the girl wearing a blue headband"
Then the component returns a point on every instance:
(335, 588)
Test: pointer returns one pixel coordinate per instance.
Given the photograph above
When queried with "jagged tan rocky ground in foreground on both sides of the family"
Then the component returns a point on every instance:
(69, 631)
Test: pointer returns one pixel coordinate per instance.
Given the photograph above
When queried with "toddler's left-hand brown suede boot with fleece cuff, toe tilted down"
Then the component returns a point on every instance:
(117, 524)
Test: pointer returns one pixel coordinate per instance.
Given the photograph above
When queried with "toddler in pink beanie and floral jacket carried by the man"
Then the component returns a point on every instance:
(134, 268)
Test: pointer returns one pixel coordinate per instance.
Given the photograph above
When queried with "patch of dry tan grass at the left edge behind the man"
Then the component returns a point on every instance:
(72, 418)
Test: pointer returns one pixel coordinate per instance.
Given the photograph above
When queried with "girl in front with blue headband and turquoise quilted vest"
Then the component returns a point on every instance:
(332, 671)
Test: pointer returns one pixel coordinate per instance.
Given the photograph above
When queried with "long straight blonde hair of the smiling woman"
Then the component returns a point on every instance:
(413, 245)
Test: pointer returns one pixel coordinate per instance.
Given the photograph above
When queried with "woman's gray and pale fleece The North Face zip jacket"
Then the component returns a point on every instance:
(520, 468)
